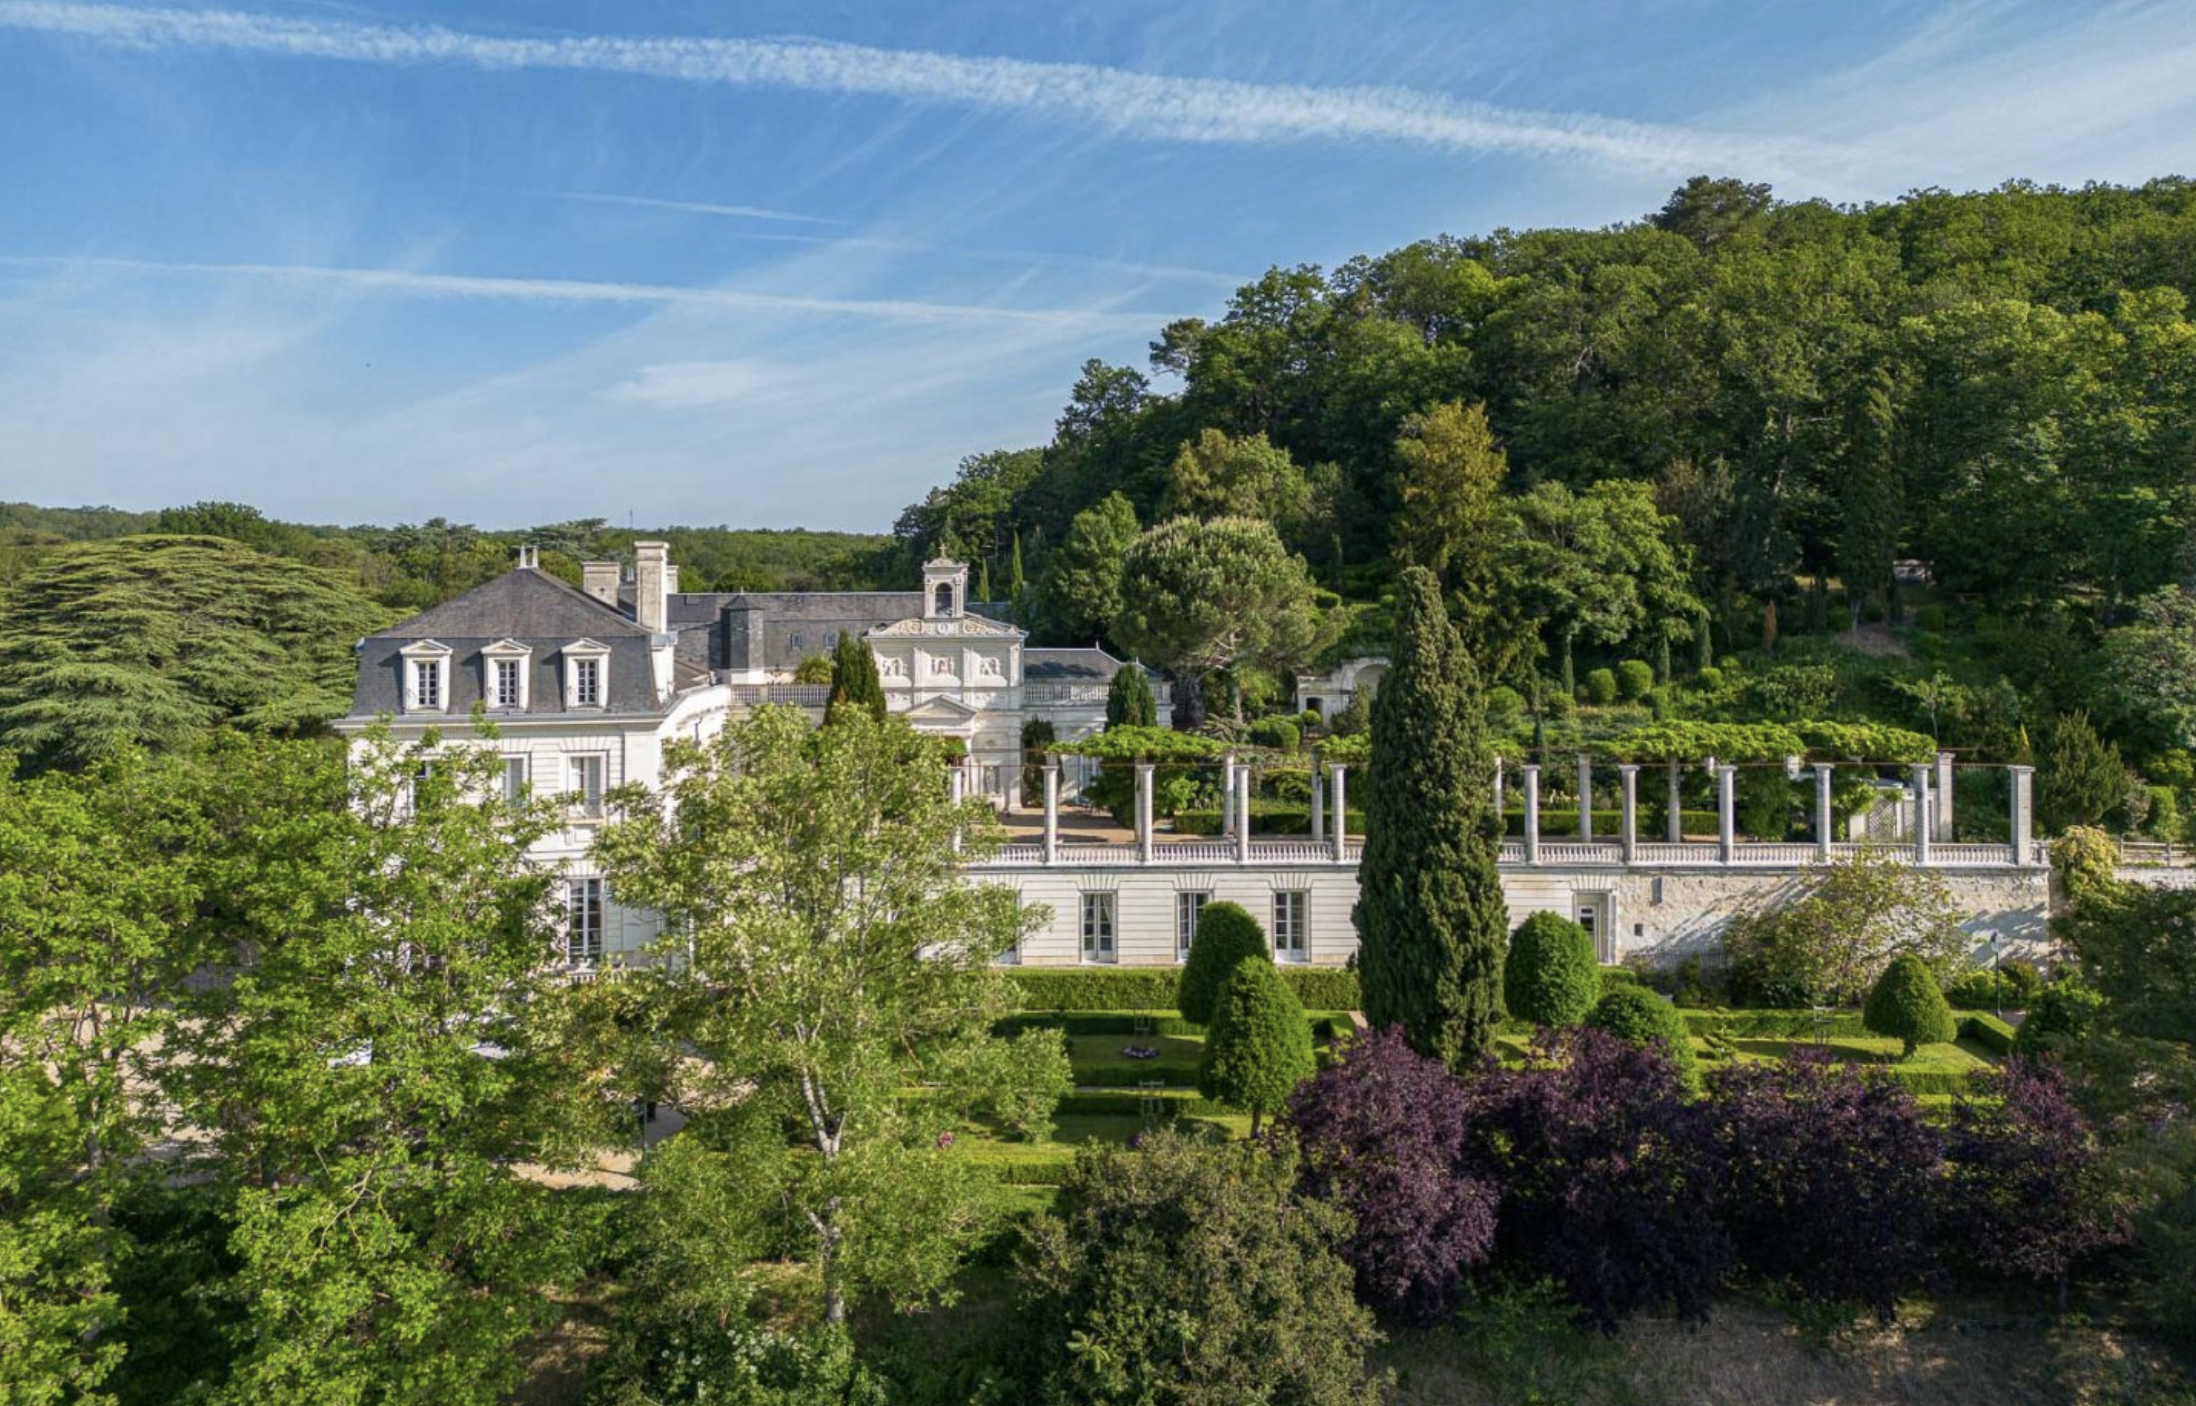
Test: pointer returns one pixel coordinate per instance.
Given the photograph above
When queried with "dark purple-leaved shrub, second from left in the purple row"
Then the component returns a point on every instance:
(1609, 1176)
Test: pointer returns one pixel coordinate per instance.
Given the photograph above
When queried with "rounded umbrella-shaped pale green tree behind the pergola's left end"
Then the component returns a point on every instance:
(1211, 596)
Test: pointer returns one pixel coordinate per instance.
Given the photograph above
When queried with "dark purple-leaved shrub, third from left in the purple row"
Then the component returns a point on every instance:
(1828, 1181)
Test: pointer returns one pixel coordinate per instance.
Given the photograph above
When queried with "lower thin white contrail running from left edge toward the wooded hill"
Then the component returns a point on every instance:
(581, 291)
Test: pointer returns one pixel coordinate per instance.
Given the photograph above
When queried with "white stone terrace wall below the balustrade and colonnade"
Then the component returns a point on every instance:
(1661, 917)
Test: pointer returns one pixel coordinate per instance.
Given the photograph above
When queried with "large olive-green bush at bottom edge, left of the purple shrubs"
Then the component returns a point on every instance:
(1189, 1262)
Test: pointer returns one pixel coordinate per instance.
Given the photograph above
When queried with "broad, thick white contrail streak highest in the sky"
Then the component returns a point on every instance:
(1110, 100)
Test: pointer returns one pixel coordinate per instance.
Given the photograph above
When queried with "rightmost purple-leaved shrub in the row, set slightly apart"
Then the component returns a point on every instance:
(2028, 1183)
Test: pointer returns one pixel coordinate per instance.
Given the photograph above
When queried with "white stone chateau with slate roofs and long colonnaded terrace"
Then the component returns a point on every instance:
(585, 689)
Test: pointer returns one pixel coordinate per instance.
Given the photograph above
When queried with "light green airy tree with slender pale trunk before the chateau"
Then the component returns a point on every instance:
(831, 955)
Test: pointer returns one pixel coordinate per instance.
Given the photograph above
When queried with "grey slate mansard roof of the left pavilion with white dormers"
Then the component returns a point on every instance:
(537, 612)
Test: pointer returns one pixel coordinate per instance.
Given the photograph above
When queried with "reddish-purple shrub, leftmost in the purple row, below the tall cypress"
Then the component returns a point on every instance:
(1382, 1135)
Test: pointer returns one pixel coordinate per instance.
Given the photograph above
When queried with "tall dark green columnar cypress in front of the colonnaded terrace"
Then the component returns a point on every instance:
(1431, 917)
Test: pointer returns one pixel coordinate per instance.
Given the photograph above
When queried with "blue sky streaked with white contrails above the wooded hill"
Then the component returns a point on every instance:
(785, 265)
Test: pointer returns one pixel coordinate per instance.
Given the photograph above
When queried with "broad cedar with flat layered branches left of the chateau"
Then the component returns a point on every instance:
(157, 640)
